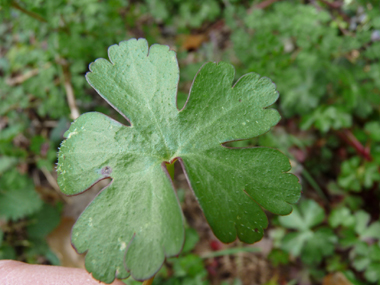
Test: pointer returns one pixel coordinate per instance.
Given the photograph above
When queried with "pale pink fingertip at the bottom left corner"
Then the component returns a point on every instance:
(18, 273)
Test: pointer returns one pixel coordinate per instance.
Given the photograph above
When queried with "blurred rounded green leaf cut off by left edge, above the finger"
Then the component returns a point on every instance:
(17, 196)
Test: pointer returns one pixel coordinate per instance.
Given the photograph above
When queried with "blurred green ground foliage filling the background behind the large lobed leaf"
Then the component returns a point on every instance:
(322, 55)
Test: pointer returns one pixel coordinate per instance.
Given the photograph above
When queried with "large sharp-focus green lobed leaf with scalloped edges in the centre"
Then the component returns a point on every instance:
(136, 221)
